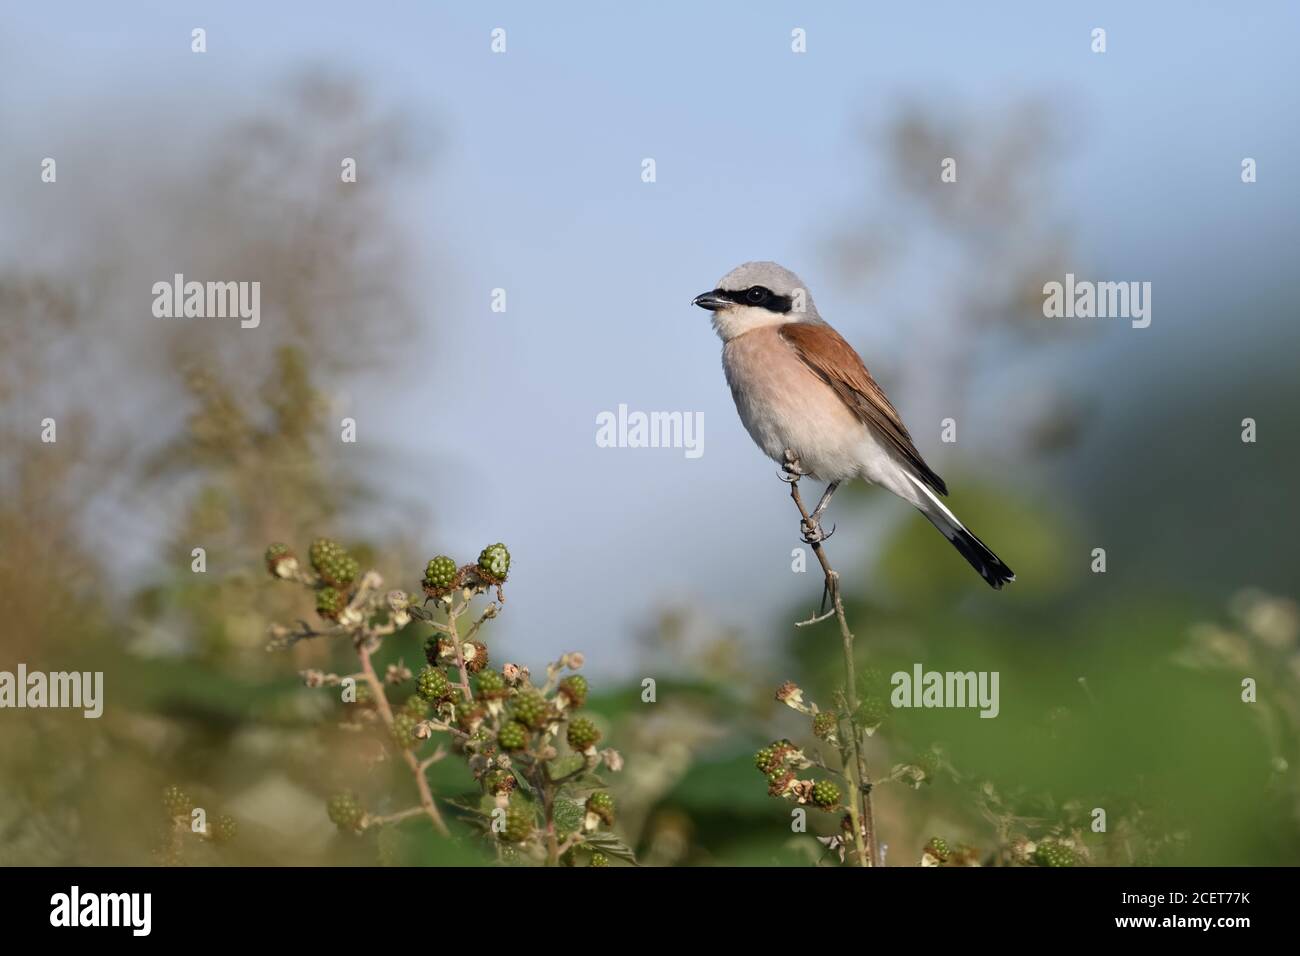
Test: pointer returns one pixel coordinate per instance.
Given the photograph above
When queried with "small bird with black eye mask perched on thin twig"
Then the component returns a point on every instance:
(809, 403)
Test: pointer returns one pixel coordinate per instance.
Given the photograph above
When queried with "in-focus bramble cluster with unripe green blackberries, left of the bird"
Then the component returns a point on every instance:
(536, 765)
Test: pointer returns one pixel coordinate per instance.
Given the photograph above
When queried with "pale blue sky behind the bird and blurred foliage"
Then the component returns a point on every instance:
(761, 154)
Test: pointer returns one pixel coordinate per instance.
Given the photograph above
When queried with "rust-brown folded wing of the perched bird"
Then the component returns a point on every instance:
(826, 353)
